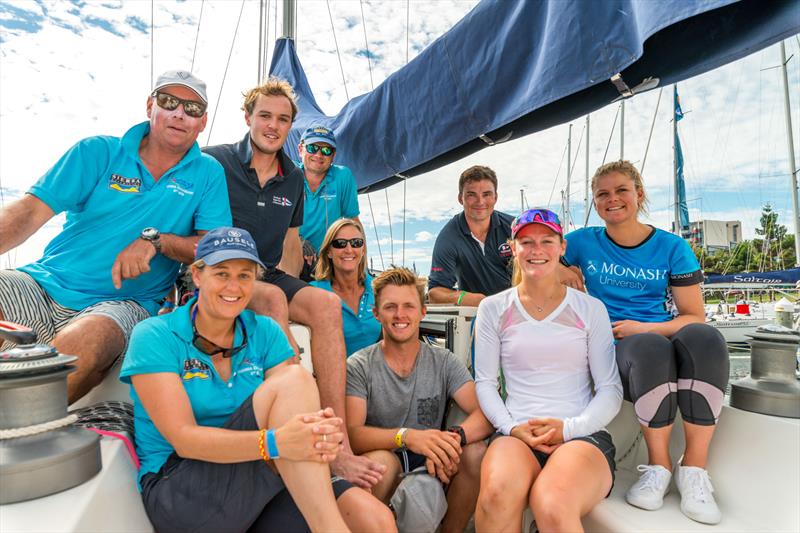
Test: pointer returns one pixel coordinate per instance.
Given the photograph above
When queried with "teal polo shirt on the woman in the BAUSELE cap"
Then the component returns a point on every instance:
(164, 344)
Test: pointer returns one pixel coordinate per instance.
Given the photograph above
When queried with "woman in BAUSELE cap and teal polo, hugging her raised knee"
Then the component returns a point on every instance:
(230, 435)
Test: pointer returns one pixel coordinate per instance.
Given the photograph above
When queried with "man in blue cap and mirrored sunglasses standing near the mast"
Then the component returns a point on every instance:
(330, 190)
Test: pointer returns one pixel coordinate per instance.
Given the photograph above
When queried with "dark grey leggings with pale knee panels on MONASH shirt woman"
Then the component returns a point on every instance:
(687, 371)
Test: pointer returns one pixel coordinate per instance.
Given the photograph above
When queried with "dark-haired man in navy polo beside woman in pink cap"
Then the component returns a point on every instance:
(471, 256)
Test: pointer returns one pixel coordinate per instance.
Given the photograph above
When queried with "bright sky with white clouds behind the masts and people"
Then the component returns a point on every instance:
(69, 70)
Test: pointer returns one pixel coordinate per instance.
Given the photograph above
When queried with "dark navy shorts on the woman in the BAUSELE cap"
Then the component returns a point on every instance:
(191, 495)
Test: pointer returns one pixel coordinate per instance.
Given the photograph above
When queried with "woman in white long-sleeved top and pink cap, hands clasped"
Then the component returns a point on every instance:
(556, 352)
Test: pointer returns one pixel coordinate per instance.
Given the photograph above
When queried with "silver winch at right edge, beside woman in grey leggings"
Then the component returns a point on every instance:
(772, 388)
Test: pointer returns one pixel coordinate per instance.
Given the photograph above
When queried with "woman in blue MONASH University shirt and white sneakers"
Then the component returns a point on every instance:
(668, 358)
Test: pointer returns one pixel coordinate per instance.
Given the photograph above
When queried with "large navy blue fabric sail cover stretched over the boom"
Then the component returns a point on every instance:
(511, 68)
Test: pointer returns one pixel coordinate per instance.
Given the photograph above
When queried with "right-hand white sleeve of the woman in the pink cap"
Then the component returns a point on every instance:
(605, 404)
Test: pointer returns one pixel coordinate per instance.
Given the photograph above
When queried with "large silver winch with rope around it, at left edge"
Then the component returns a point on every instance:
(41, 452)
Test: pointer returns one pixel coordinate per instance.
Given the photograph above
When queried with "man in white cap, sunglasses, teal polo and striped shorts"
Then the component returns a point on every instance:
(134, 207)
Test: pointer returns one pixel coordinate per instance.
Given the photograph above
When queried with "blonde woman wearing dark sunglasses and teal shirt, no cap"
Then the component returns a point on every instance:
(342, 269)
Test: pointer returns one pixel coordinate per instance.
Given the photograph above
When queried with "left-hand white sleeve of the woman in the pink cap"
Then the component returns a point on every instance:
(487, 366)
